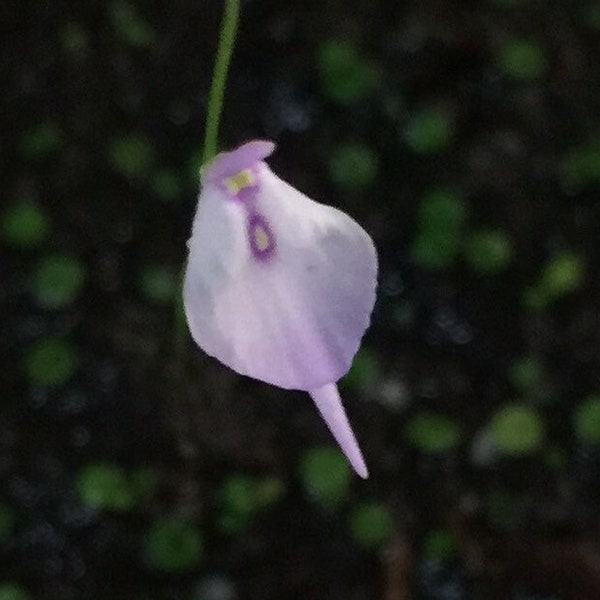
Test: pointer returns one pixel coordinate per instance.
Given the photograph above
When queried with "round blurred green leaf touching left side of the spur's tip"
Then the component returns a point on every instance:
(325, 476)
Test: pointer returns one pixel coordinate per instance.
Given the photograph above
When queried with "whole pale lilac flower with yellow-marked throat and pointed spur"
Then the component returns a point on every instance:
(277, 286)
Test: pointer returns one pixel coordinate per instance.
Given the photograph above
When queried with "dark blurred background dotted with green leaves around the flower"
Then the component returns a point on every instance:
(464, 136)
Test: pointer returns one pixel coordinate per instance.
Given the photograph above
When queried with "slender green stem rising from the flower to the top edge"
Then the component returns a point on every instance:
(217, 89)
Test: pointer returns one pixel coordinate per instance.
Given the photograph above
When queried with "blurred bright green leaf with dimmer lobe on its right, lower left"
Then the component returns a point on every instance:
(104, 486)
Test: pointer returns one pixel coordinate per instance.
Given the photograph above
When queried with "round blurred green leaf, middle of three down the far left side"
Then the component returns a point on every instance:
(57, 281)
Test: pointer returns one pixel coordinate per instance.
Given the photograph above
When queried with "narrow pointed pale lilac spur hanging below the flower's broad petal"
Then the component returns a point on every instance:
(329, 404)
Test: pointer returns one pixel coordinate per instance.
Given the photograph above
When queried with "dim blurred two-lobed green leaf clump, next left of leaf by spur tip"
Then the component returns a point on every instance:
(243, 497)
